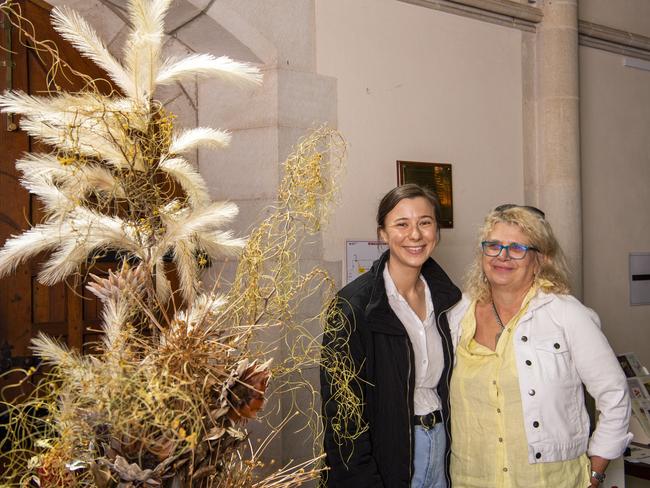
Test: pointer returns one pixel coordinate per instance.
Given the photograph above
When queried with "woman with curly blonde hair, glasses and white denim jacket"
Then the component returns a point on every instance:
(525, 349)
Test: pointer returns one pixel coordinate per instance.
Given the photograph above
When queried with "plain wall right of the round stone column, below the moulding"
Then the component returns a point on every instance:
(615, 129)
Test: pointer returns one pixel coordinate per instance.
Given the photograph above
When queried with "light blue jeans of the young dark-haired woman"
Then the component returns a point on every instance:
(429, 457)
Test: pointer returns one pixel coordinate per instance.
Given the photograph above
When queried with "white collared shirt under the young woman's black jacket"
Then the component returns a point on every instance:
(427, 346)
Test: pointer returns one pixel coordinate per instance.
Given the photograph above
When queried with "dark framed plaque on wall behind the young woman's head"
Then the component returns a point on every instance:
(435, 176)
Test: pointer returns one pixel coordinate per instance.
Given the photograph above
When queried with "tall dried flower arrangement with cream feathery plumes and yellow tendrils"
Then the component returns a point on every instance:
(165, 399)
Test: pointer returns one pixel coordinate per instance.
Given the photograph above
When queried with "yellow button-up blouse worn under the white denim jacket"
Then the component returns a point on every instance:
(489, 448)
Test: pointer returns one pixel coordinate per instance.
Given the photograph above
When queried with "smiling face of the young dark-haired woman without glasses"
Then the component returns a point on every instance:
(410, 232)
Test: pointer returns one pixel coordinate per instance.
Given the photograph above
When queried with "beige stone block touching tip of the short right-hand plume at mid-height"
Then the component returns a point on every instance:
(247, 169)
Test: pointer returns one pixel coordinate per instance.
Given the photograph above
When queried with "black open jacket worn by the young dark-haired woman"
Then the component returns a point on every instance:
(369, 332)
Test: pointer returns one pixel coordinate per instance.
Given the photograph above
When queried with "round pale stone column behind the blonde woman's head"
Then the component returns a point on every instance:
(556, 181)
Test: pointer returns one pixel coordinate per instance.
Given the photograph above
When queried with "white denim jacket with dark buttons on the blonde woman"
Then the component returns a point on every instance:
(559, 347)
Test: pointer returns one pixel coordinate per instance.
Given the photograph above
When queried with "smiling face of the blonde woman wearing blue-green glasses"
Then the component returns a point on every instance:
(501, 271)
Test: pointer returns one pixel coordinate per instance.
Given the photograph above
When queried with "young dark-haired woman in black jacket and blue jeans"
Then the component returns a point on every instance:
(387, 358)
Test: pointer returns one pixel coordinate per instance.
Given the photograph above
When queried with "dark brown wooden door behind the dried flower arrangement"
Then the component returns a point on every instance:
(65, 310)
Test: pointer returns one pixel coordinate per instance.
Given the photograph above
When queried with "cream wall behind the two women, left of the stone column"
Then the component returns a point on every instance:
(416, 84)
